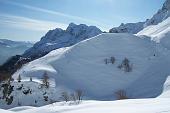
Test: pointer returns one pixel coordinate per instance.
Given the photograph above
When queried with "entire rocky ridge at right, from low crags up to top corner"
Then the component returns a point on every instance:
(134, 28)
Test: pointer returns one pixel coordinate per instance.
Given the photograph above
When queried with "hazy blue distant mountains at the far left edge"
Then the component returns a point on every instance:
(10, 48)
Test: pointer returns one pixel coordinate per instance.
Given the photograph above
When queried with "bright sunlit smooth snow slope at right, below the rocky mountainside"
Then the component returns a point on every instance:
(159, 33)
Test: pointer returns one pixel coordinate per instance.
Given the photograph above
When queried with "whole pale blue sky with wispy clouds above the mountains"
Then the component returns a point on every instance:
(29, 20)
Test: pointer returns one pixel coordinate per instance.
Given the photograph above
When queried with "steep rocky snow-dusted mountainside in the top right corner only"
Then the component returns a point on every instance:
(161, 15)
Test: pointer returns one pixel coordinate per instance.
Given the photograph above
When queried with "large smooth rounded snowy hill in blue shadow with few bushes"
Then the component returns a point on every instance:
(83, 67)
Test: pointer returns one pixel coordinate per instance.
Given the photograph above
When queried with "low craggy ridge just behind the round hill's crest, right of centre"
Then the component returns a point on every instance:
(132, 28)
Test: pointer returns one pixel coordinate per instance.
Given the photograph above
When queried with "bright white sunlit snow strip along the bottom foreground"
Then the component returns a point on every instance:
(160, 105)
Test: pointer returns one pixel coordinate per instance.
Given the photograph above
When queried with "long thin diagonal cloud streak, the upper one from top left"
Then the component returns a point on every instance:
(52, 12)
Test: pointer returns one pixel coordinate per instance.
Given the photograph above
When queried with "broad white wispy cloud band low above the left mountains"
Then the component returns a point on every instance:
(28, 23)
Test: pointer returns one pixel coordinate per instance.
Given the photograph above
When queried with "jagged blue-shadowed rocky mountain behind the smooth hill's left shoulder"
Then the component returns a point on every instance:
(59, 38)
